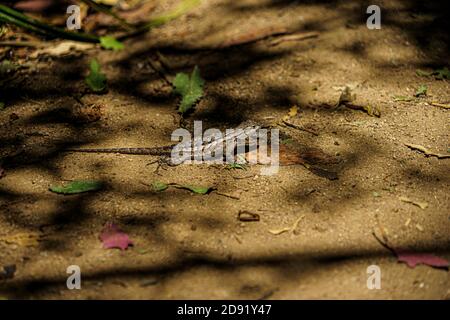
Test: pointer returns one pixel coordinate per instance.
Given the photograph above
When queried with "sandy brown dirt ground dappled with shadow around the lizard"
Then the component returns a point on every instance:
(189, 246)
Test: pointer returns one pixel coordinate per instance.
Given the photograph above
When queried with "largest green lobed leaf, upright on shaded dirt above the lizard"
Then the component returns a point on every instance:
(190, 88)
